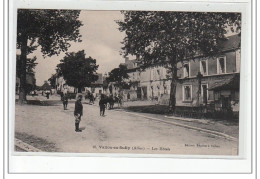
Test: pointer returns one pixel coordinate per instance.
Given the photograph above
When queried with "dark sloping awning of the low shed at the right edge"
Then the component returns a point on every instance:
(231, 83)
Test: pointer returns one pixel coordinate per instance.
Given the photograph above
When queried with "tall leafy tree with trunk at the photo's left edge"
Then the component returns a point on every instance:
(52, 30)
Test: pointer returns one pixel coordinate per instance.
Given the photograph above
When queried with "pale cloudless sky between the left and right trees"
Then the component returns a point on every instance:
(100, 40)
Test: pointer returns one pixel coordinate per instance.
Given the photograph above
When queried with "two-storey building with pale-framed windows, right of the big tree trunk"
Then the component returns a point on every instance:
(218, 83)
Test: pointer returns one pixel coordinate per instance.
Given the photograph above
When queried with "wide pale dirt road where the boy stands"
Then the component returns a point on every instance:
(117, 132)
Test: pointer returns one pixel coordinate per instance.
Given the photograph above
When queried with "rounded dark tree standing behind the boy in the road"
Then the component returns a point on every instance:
(77, 70)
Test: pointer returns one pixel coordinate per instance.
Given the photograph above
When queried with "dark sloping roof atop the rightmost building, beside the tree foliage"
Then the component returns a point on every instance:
(232, 42)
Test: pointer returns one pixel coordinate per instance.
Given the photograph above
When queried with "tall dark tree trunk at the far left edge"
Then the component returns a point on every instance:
(23, 58)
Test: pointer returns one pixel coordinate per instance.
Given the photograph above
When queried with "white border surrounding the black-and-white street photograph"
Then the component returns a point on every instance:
(34, 164)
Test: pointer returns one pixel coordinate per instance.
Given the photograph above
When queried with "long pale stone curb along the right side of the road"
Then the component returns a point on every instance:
(214, 133)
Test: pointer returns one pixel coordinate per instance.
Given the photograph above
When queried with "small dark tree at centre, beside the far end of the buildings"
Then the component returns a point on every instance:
(118, 75)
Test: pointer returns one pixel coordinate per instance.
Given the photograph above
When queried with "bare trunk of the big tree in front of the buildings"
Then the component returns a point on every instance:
(172, 102)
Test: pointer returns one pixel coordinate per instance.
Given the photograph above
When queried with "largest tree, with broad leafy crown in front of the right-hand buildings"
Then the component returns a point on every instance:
(160, 38)
